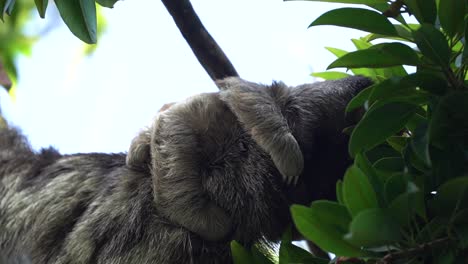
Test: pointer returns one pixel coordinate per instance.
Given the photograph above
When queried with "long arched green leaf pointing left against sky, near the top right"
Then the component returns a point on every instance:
(346, 17)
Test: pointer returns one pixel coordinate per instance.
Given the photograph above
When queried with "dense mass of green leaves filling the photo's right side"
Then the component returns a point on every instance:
(405, 198)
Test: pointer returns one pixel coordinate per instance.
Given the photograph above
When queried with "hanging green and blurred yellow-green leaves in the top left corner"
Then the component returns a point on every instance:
(14, 40)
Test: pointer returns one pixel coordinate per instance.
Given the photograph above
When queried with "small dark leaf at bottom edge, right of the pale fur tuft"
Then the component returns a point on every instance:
(290, 253)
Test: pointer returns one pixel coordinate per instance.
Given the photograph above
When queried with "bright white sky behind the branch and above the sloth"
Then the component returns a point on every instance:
(99, 103)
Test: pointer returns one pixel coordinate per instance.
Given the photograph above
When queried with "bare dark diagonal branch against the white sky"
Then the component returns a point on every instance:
(205, 48)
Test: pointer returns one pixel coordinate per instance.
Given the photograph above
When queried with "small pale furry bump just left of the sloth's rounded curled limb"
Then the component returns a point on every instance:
(139, 155)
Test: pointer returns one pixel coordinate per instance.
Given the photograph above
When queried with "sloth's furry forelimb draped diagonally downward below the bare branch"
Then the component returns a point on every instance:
(258, 108)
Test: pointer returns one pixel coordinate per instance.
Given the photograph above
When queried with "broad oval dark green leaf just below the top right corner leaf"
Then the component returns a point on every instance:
(432, 44)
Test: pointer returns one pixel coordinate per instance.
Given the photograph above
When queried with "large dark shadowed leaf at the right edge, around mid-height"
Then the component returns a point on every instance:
(449, 122)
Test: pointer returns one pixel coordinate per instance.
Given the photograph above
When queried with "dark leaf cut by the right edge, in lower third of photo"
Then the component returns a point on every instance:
(451, 196)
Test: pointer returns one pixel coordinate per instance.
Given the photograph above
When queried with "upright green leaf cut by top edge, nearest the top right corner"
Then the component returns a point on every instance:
(451, 15)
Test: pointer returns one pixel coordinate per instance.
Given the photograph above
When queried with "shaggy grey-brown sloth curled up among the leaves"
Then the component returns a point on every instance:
(213, 168)
